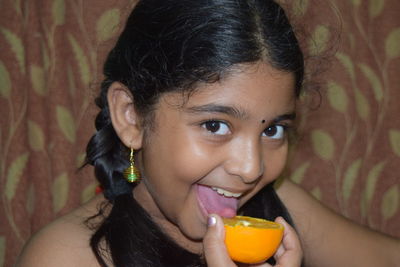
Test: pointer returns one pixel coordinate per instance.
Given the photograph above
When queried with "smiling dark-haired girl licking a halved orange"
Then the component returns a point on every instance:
(203, 94)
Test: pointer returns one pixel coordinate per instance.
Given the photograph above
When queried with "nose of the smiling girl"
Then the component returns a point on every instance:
(245, 160)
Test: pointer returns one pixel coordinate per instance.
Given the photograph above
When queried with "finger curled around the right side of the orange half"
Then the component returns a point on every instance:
(289, 252)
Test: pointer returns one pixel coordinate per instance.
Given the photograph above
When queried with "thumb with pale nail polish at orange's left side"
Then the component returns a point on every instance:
(214, 247)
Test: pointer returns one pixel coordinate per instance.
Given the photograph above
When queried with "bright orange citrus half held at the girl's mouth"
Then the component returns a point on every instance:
(251, 240)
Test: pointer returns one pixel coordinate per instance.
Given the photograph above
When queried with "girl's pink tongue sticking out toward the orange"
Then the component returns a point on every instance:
(216, 203)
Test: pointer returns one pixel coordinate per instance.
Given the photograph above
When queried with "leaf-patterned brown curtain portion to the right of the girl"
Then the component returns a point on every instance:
(348, 151)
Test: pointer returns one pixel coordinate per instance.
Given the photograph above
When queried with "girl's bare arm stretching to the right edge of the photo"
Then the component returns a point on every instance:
(330, 240)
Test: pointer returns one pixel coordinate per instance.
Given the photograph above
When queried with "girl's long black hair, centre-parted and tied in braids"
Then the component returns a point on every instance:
(173, 45)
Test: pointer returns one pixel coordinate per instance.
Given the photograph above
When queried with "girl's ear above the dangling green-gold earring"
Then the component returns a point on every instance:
(124, 118)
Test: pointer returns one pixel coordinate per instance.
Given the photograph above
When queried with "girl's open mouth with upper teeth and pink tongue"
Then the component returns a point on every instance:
(217, 200)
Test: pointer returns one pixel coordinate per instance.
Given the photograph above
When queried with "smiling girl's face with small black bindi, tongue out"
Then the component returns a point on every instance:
(214, 151)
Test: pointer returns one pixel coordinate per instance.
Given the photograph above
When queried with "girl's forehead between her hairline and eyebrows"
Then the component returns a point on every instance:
(255, 89)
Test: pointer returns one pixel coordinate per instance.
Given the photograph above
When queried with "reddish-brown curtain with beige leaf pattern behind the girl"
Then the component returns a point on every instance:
(51, 54)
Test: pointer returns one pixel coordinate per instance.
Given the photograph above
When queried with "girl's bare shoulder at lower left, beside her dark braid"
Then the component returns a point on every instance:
(64, 242)
